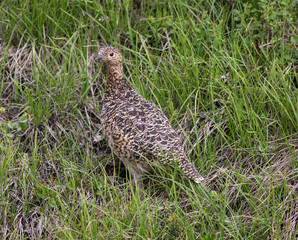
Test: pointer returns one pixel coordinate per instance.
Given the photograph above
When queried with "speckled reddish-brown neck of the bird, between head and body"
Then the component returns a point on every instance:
(115, 78)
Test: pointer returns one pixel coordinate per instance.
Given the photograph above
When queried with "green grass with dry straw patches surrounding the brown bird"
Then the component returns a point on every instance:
(225, 75)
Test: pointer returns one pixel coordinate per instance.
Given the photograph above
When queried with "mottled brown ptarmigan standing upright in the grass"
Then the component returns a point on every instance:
(136, 130)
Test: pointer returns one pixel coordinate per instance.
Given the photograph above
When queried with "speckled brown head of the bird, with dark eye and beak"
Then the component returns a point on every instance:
(110, 56)
